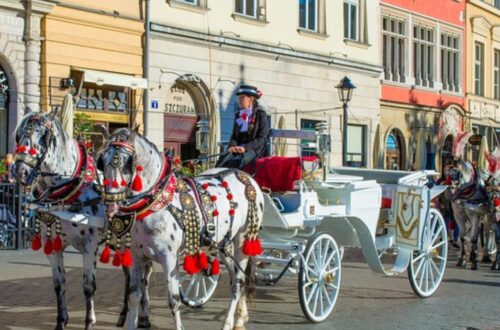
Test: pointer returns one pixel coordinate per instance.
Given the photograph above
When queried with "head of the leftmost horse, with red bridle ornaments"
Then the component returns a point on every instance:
(35, 137)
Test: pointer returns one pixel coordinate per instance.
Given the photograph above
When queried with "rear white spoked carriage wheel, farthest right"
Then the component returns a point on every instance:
(427, 265)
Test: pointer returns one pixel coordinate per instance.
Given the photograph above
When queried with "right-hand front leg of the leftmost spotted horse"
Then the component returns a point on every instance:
(89, 255)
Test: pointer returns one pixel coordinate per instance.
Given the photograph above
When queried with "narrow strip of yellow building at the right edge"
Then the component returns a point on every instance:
(483, 68)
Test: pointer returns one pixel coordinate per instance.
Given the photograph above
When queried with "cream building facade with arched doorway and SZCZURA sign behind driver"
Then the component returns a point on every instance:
(296, 52)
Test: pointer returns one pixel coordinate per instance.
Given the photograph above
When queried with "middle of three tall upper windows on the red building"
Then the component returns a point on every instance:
(423, 56)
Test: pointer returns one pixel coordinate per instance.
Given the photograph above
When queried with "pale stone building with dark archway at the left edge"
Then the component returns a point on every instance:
(20, 46)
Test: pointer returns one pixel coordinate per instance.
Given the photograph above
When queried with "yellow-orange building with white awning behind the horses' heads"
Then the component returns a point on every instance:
(93, 49)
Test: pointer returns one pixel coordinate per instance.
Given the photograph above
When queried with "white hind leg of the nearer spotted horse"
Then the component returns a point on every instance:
(237, 284)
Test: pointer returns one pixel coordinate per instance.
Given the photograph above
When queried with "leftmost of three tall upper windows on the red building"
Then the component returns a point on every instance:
(394, 49)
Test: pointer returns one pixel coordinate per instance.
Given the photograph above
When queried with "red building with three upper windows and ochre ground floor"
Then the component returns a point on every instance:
(422, 104)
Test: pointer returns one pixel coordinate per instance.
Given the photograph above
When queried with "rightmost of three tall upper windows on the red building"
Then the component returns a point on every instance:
(450, 62)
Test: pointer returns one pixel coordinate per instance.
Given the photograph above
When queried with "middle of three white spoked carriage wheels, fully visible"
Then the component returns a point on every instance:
(319, 277)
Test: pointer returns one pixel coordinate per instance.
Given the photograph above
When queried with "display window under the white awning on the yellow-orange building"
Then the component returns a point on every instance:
(104, 98)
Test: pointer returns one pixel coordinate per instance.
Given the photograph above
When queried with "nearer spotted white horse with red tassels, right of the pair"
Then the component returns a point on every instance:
(219, 212)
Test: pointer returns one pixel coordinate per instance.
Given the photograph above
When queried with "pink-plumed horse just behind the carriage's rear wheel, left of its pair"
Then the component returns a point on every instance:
(470, 202)
